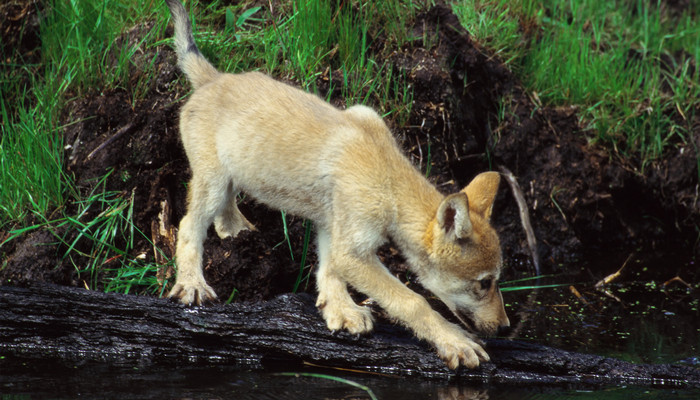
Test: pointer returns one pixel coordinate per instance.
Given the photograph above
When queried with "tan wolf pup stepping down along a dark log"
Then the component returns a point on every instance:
(343, 170)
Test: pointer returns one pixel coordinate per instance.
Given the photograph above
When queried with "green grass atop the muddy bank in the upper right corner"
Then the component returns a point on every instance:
(626, 65)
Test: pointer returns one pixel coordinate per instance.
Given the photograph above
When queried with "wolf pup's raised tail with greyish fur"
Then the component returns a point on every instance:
(198, 70)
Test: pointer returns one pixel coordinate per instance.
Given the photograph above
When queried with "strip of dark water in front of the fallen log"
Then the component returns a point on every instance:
(40, 379)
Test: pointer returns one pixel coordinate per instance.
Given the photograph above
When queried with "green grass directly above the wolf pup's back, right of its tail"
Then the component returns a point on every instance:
(308, 41)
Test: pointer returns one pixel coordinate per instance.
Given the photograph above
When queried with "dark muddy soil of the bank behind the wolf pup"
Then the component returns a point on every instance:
(582, 199)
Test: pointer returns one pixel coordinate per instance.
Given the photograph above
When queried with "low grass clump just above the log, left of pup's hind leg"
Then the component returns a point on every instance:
(100, 242)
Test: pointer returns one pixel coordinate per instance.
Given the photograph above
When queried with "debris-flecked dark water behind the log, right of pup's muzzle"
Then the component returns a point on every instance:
(643, 316)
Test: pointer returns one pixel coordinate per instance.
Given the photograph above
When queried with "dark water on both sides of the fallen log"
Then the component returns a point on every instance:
(642, 318)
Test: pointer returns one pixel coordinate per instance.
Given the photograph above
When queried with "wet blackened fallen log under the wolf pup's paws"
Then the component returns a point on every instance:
(55, 322)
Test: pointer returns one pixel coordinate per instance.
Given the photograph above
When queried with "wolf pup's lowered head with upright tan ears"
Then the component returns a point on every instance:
(464, 256)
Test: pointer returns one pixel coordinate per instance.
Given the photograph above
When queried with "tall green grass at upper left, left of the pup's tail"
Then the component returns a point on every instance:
(78, 55)
